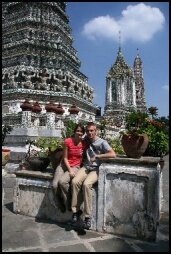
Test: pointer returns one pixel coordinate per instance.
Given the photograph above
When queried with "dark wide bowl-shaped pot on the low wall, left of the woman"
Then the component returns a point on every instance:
(37, 163)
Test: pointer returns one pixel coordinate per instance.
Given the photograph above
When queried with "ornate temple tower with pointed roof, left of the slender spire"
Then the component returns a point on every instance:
(120, 89)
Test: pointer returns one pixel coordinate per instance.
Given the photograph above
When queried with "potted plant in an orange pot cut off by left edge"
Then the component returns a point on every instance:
(6, 129)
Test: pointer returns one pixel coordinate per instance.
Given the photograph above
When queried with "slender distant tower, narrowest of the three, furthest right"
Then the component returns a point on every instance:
(139, 84)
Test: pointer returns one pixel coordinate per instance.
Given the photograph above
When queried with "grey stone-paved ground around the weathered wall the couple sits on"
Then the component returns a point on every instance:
(26, 234)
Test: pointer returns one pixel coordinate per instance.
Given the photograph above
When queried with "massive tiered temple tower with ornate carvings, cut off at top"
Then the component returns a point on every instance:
(38, 60)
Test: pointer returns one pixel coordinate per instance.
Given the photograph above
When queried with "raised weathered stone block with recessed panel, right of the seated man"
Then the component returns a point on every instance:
(129, 197)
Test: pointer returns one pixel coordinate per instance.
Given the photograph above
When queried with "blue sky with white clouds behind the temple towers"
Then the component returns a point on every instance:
(143, 25)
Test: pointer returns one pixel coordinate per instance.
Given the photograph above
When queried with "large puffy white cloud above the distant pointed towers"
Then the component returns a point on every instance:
(138, 23)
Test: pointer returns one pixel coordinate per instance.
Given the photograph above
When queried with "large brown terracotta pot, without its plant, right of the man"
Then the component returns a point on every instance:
(135, 145)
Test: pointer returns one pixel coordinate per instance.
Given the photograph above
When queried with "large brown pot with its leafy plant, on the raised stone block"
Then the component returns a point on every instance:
(134, 140)
